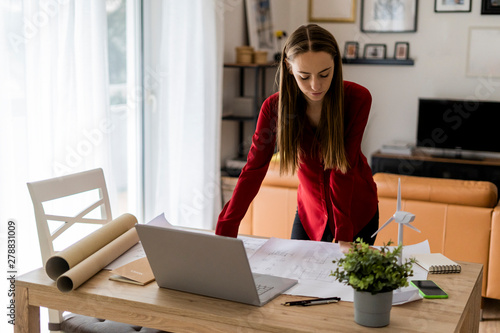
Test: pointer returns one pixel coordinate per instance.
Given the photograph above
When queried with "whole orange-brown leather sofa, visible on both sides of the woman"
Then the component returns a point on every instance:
(459, 218)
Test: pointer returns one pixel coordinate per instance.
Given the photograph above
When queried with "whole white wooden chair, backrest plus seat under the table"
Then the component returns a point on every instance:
(88, 188)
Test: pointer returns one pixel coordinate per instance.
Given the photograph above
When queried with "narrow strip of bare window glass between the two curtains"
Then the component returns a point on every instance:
(125, 97)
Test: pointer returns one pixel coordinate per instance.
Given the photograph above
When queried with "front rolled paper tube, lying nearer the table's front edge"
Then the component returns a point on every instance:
(77, 275)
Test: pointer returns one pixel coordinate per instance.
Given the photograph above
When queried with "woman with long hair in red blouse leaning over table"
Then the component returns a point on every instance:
(317, 121)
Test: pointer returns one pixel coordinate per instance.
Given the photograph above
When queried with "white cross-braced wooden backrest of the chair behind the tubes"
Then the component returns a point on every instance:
(61, 187)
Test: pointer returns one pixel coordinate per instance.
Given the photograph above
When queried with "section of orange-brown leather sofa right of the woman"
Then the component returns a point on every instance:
(454, 215)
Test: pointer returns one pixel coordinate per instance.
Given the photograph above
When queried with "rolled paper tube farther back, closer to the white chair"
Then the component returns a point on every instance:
(68, 258)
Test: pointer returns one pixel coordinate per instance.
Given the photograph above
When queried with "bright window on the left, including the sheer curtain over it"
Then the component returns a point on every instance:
(40, 94)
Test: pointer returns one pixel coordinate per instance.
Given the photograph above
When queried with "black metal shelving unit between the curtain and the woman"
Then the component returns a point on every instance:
(259, 94)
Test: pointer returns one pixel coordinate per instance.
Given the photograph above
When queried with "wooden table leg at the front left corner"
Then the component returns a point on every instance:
(27, 316)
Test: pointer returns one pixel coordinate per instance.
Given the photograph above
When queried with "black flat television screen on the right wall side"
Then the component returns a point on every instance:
(459, 124)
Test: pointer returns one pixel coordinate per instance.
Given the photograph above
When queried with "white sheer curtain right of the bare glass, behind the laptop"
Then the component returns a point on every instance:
(185, 173)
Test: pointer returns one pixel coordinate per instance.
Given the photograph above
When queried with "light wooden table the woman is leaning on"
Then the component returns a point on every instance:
(183, 312)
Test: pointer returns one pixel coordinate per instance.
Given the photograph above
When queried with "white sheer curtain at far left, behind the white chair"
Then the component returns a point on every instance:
(54, 104)
